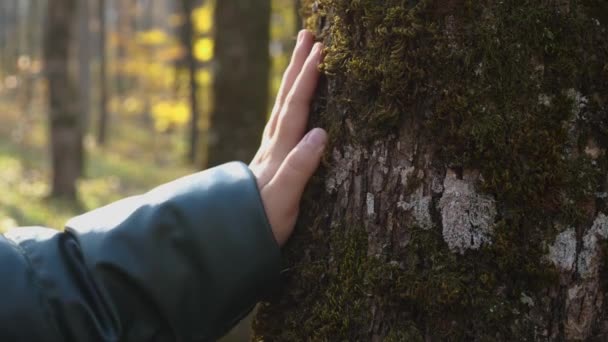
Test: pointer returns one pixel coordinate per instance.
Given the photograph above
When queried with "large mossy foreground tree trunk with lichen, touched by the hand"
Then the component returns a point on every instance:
(464, 192)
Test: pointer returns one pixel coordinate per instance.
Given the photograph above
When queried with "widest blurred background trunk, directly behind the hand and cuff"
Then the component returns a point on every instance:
(241, 79)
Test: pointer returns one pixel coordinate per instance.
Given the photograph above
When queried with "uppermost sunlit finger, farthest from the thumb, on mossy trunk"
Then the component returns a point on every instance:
(301, 52)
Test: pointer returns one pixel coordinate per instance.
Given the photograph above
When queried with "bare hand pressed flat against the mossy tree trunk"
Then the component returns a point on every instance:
(286, 161)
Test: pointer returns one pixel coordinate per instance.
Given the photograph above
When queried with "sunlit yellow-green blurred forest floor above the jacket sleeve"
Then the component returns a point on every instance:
(136, 160)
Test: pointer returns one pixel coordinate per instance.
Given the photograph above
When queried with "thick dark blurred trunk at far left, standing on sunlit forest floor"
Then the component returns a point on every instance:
(65, 125)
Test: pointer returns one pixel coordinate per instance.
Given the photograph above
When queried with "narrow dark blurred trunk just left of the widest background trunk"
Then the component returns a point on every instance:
(188, 42)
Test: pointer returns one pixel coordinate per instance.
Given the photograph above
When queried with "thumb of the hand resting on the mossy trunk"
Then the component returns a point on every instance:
(284, 191)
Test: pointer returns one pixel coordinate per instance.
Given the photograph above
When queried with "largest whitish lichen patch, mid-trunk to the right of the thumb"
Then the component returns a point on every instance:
(467, 217)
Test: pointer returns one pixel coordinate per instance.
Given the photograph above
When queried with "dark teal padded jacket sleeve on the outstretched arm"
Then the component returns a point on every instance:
(184, 262)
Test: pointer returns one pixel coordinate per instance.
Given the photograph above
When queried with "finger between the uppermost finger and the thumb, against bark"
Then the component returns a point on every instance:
(294, 114)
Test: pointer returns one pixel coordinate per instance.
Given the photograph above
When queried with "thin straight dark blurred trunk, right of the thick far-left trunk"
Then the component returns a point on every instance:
(103, 77)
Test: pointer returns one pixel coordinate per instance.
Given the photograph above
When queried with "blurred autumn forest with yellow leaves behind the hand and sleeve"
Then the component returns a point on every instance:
(102, 99)
